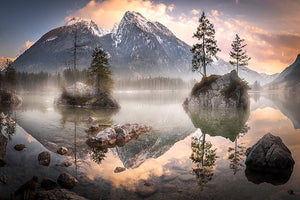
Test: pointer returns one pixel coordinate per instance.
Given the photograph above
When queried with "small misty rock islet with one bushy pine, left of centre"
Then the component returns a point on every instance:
(96, 92)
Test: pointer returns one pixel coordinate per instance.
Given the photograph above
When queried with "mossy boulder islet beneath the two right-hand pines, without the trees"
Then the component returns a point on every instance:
(227, 91)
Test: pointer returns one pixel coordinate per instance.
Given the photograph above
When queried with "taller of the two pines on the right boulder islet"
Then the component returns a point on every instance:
(207, 46)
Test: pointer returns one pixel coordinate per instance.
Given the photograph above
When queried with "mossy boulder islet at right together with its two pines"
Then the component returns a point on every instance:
(214, 91)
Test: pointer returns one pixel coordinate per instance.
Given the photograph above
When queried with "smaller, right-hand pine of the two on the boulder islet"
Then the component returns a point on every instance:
(238, 55)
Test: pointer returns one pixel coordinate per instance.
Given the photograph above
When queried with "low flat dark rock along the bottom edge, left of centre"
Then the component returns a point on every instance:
(58, 194)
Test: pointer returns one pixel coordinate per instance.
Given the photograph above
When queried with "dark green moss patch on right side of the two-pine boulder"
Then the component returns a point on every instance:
(235, 89)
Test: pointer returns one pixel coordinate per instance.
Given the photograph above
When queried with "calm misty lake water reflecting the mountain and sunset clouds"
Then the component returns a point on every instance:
(168, 155)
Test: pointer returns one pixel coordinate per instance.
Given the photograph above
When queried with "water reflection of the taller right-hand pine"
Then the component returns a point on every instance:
(205, 158)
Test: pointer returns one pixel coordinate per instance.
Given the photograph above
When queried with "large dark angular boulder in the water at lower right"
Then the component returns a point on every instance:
(269, 153)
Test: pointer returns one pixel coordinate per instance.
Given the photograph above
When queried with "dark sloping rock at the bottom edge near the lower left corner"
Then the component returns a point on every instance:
(27, 190)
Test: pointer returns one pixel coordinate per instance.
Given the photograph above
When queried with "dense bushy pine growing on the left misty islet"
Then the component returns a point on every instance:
(99, 73)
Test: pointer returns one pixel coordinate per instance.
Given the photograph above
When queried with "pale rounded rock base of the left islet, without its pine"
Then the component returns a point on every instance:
(84, 95)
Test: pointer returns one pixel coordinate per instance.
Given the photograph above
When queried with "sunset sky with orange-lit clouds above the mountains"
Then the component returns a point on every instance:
(271, 28)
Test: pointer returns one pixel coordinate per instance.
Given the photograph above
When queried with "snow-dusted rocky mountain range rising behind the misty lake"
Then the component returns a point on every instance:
(136, 46)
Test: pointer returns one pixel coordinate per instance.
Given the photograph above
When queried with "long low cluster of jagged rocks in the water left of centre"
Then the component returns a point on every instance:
(117, 135)
